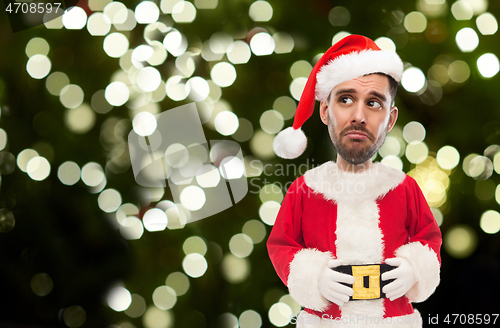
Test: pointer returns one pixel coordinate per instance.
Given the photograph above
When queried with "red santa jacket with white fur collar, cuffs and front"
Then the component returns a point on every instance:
(360, 218)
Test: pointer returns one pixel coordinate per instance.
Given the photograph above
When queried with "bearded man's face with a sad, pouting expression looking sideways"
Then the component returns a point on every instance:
(359, 115)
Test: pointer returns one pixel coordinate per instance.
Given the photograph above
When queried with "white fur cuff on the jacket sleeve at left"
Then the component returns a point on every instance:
(303, 279)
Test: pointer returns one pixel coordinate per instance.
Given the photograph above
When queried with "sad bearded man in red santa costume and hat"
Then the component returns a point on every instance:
(354, 241)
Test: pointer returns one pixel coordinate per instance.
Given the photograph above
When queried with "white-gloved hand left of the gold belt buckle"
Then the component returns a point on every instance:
(330, 284)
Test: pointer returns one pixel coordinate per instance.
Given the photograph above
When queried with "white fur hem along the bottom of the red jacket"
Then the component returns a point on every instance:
(307, 320)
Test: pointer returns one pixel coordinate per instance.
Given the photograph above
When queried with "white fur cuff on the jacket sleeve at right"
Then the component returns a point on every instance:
(425, 265)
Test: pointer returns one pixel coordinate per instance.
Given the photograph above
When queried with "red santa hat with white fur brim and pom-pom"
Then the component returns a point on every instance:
(351, 57)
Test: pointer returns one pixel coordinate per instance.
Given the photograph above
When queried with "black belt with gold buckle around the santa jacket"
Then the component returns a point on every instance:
(367, 282)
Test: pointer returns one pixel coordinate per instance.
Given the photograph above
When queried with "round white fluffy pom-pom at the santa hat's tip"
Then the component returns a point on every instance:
(290, 143)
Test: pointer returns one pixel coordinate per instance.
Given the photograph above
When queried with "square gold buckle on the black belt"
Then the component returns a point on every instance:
(361, 274)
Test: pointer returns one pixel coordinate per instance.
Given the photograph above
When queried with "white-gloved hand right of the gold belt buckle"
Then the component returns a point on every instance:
(405, 279)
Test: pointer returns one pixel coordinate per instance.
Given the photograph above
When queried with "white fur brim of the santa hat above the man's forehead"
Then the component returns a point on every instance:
(356, 64)
